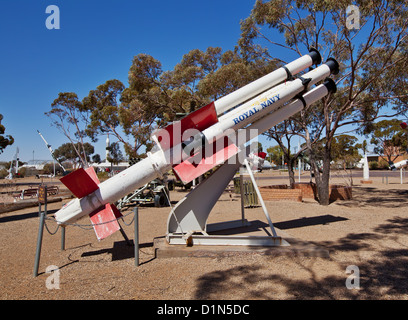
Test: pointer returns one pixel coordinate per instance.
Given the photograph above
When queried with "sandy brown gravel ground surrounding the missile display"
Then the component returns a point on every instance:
(369, 232)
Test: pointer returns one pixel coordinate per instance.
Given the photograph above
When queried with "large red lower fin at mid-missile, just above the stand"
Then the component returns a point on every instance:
(198, 164)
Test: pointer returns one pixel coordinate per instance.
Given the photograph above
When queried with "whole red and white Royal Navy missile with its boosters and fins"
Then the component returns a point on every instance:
(180, 145)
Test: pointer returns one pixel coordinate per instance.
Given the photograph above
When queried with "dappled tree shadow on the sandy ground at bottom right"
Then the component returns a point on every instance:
(382, 273)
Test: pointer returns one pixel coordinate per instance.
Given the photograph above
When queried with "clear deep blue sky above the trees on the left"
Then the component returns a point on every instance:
(96, 42)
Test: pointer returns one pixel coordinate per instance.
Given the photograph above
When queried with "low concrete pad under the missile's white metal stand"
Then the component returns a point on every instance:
(296, 247)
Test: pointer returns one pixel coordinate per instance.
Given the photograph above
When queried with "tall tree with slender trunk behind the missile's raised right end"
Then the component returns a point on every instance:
(372, 83)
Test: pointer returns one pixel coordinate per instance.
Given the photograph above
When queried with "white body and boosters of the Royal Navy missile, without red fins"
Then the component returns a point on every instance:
(264, 115)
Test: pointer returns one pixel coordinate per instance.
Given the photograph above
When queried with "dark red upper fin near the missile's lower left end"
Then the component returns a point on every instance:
(81, 182)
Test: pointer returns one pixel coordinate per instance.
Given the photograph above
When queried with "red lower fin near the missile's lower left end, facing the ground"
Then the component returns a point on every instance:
(104, 221)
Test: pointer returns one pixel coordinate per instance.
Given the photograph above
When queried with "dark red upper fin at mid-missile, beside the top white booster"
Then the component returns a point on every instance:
(200, 120)
